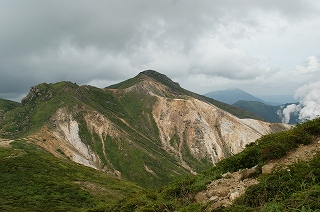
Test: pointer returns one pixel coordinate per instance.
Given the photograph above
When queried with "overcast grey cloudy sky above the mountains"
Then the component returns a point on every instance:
(260, 46)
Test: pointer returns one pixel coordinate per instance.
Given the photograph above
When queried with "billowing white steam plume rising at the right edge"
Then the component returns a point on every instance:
(309, 103)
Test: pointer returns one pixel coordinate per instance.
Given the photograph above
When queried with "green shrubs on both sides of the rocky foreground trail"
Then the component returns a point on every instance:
(283, 190)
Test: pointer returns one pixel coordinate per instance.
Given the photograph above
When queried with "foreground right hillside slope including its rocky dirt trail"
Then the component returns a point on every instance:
(292, 185)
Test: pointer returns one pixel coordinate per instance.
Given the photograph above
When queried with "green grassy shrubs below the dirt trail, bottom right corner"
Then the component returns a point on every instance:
(294, 188)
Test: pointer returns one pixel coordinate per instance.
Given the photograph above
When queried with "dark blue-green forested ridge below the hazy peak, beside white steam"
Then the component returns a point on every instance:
(267, 112)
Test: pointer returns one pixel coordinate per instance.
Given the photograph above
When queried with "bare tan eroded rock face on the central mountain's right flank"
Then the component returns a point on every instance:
(209, 132)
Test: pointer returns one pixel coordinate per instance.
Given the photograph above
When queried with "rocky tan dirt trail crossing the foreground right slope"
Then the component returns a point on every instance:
(225, 191)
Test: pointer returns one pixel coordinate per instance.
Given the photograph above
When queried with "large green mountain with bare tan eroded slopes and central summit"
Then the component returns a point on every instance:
(146, 129)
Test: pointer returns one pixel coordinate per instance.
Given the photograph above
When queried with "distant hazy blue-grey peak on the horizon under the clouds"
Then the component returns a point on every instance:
(231, 95)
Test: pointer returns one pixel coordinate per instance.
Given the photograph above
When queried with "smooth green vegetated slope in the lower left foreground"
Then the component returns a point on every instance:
(31, 179)
